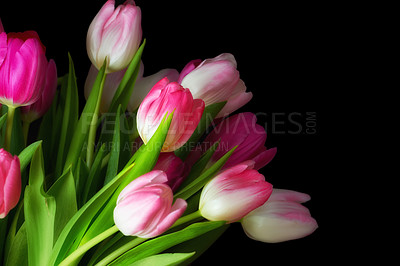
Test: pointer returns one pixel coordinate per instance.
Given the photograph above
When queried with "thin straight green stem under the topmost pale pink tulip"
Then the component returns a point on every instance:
(93, 127)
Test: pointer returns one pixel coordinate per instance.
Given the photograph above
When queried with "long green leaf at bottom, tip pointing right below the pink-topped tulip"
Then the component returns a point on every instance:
(159, 244)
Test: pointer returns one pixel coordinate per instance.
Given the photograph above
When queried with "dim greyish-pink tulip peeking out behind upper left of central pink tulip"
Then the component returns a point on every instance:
(144, 84)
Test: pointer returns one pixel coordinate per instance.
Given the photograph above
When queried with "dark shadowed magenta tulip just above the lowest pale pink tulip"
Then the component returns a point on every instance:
(174, 168)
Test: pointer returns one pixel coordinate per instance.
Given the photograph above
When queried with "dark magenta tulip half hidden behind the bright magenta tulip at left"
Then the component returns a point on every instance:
(36, 110)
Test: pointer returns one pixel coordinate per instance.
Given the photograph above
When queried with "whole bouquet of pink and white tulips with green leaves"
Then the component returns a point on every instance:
(150, 171)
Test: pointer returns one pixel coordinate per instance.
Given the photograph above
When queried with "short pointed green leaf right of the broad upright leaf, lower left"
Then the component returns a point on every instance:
(63, 190)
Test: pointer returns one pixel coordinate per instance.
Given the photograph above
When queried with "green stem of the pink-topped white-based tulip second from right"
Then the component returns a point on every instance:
(137, 241)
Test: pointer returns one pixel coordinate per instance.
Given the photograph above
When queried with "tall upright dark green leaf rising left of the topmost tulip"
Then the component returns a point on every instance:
(70, 117)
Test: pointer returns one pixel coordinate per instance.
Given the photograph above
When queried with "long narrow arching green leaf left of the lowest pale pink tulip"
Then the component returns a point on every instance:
(81, 220)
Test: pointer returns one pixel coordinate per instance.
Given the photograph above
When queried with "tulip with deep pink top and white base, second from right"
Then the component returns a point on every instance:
(233, 193)
